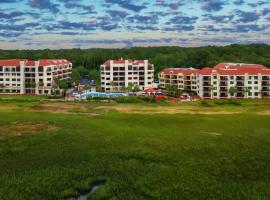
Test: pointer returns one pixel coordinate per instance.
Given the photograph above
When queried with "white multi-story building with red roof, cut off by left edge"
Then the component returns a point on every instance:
(32, 77)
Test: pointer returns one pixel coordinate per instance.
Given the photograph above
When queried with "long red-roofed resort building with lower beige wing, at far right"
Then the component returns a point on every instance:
(225, 80)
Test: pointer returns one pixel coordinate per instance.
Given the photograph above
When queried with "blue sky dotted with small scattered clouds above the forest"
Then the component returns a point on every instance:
(61, 24)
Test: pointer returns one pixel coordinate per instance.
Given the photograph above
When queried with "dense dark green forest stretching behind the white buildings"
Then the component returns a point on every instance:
(87, 61)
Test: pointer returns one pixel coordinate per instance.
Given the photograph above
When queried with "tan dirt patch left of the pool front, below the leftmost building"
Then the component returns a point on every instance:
(61, 107)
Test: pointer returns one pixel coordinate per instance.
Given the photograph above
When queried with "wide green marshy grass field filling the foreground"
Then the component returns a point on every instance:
(56, 150)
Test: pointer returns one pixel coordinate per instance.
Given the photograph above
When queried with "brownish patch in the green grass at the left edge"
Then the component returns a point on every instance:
(25, 128)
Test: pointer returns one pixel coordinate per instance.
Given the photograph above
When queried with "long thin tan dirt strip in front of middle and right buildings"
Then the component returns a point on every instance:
(162, 110)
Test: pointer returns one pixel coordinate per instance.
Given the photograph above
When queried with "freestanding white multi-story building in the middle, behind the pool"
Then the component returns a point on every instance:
(116, 74)
